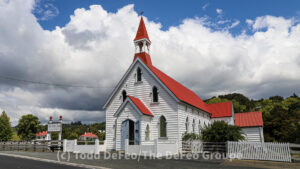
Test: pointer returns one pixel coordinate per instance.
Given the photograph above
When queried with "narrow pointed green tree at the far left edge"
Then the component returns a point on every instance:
(6, 131)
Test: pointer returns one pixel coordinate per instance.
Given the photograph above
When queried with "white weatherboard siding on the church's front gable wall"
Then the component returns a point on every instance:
(167, 106)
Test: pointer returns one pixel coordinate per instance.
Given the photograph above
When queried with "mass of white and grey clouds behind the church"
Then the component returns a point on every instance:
(95, 48)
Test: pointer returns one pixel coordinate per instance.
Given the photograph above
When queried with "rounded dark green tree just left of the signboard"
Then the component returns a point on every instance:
(28, 126)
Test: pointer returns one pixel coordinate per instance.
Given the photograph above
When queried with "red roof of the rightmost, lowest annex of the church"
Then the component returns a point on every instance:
(249, 119)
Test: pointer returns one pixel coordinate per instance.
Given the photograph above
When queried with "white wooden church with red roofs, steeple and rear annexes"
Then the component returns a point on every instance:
(149, 105)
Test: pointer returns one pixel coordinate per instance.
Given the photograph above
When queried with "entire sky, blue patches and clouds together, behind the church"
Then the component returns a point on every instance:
(63, 57)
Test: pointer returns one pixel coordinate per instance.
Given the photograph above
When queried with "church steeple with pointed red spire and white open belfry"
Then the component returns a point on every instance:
(141, 41)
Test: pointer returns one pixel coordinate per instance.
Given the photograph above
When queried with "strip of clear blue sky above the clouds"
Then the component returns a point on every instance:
(171, 13)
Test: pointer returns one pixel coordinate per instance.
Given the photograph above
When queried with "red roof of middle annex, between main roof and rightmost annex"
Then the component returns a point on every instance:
(220, 109)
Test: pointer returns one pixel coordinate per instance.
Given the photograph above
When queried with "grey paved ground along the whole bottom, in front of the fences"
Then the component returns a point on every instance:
(13, 163)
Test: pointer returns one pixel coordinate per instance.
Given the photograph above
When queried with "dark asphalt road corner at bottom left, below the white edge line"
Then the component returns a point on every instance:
(16, 163)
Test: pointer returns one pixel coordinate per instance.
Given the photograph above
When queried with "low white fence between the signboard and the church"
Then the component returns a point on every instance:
(72, 146)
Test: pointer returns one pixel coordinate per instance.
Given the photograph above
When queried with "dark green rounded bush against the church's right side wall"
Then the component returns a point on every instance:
(220, 131)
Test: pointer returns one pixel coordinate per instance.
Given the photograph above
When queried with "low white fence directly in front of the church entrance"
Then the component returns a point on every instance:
(154, 148)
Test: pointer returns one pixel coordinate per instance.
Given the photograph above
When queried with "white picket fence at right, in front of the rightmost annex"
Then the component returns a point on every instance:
(259, 151)
